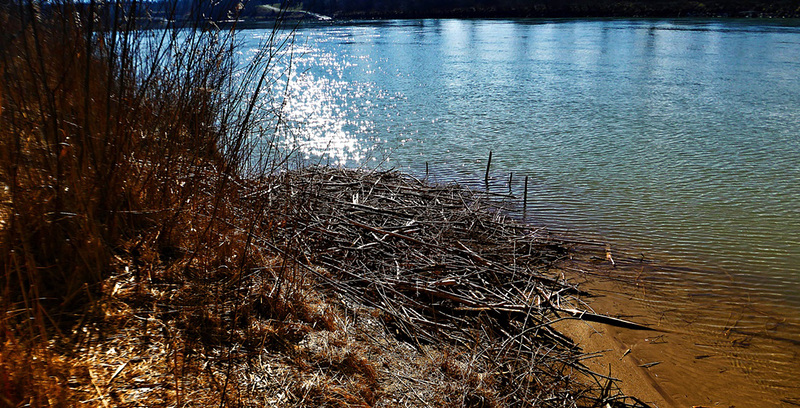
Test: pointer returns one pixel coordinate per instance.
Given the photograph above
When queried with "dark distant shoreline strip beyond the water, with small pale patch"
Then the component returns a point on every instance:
(156, 16)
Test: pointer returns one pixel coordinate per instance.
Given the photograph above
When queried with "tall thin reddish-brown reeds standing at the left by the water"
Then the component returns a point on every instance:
(120, 136)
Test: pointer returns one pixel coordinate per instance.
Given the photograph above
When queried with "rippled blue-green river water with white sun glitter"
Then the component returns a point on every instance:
(677, 140)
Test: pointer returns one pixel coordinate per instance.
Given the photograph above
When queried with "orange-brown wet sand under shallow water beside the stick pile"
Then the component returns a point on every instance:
(746, 357)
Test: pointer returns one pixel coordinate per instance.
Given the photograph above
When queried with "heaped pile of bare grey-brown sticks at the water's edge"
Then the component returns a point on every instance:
(444, 267)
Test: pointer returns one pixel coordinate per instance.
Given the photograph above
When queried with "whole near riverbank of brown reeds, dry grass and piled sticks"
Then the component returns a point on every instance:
(158, 248)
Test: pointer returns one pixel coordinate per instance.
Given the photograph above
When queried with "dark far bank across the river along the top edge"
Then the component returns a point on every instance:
(219, 10)
